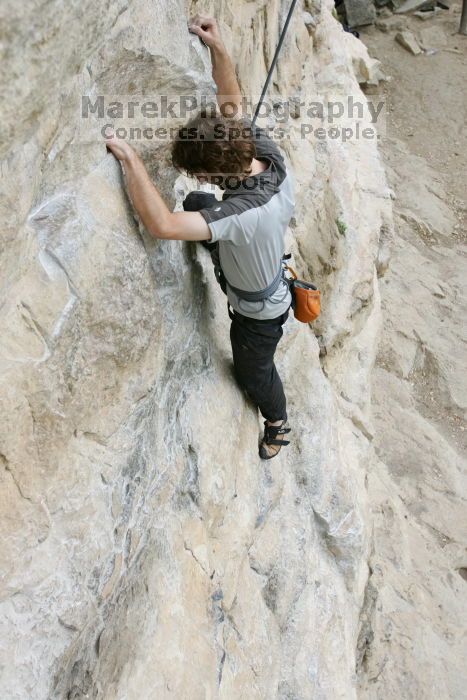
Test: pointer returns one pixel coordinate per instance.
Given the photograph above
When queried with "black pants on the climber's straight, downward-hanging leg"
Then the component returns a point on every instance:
(254, 343)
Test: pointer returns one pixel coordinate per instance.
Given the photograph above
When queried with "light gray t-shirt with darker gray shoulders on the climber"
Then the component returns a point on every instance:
(250, 224)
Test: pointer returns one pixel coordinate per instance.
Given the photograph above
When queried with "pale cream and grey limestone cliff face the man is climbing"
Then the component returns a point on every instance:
(147, 552)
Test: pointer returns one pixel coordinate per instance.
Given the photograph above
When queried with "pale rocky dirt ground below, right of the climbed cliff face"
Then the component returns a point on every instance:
(414, 646)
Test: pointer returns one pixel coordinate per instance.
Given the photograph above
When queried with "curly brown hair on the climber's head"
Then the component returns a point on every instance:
(214, 145)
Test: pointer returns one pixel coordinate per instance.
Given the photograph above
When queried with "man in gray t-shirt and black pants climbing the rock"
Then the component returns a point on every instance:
(244, 231)
